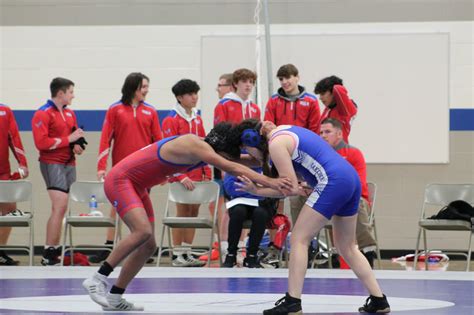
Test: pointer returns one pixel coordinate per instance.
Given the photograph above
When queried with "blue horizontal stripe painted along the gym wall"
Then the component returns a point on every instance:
(460, 119)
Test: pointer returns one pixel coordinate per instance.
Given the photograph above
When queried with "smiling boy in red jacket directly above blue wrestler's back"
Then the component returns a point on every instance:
(292, 105)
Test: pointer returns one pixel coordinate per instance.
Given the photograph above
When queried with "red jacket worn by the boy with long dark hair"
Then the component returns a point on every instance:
(130, 128)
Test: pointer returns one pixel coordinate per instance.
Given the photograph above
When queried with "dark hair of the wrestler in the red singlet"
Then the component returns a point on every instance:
(220, 139)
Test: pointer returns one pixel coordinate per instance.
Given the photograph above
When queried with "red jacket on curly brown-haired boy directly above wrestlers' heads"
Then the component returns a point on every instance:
(232, 109)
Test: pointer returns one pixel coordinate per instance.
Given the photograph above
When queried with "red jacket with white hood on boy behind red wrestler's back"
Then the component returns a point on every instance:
(178, 122)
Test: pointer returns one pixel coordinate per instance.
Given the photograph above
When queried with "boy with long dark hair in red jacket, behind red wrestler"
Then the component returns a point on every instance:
(130, 124)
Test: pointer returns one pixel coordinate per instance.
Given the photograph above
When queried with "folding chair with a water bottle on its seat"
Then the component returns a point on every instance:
(80, 193)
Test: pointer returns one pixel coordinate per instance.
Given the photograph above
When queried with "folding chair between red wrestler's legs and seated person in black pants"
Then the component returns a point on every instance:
(204, 192)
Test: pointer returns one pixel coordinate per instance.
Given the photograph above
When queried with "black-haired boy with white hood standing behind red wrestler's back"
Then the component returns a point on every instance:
(184, 119)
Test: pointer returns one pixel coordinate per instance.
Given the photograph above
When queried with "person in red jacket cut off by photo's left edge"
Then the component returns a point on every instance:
(9, 138)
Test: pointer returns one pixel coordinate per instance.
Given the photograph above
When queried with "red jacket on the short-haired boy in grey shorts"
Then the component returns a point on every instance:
(51, 129)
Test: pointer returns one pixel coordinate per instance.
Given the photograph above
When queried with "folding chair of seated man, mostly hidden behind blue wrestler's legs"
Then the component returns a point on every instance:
(329, 250)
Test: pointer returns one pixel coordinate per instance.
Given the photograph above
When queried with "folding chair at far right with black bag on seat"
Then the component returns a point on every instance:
(441, 195)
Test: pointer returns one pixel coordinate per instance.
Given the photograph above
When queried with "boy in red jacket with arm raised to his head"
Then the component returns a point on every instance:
(338, 104)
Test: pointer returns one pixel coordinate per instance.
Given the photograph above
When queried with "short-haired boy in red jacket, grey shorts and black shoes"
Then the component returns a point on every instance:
(58, 140)
